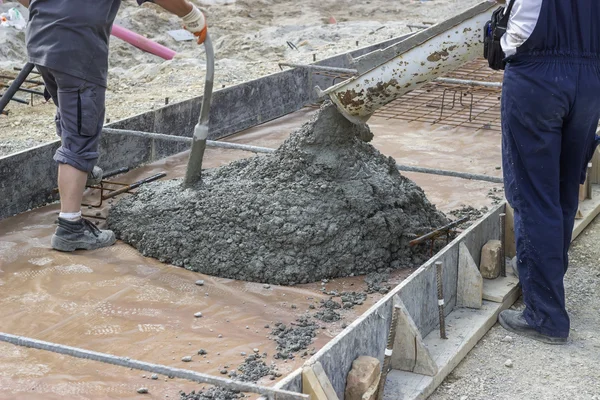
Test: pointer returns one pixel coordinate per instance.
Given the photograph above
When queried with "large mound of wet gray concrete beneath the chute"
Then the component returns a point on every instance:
(324, 205)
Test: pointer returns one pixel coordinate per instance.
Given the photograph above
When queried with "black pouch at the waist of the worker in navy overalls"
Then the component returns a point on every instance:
(492, 33)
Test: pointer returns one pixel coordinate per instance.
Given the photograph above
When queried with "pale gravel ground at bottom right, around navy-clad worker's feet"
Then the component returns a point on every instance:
(541, 371)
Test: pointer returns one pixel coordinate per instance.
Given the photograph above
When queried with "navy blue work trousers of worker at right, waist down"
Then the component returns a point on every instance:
(550, 113)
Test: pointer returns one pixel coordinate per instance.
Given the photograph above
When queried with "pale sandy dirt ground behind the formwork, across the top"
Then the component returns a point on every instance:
(250, 39)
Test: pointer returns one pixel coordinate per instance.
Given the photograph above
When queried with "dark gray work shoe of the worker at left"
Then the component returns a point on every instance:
(80, 235)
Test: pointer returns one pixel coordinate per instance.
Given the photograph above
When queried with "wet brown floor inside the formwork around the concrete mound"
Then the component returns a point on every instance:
(119, 302)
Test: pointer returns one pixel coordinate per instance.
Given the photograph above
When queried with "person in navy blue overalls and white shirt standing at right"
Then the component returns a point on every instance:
(550, 113)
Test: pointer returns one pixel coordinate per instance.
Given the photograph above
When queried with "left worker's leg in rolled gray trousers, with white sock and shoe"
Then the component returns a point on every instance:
(79, 125)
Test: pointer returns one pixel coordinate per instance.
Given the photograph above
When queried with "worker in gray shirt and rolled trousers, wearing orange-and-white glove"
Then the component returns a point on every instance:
(68, 43)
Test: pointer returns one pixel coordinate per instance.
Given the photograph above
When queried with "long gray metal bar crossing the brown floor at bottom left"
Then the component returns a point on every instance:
(153, 368)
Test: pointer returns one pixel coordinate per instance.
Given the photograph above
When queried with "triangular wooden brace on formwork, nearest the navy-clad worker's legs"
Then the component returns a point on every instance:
(469, 291)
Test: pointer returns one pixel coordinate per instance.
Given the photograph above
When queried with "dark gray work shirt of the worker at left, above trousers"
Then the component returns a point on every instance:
(72, 36)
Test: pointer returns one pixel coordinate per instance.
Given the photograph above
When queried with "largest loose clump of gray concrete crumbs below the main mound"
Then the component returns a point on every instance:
(292, 339)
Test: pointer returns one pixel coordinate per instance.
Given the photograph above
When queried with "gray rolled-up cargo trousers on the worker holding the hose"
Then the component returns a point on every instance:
(79, 117)
